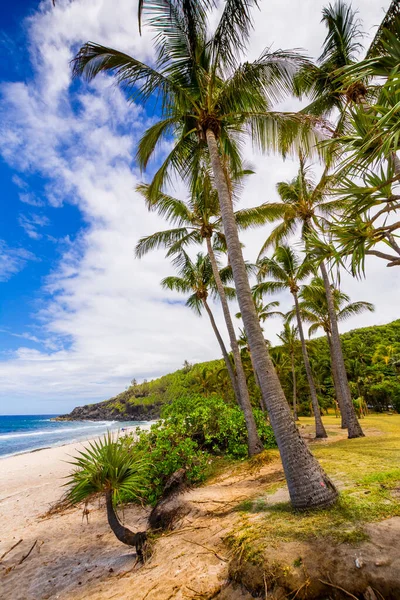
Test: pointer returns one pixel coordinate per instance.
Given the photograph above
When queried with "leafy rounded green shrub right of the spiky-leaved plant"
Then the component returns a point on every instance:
(193, 429)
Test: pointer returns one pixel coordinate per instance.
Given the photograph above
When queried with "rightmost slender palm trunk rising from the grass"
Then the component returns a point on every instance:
(353, 426)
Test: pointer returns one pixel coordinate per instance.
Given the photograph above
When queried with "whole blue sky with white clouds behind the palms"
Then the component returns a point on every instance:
(79, 315)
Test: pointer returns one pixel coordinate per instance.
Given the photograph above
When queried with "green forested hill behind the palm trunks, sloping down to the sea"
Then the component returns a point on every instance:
(372, 356)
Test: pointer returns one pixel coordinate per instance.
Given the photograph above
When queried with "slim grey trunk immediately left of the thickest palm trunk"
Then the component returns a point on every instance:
(254, 443)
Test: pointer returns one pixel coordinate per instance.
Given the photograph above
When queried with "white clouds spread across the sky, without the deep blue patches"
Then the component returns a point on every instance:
(107, 319)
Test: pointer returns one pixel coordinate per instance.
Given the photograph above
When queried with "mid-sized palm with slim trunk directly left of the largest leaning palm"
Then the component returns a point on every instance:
(197, 220)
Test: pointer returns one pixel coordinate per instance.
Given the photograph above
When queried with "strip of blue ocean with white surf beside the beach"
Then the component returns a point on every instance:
(24, 433)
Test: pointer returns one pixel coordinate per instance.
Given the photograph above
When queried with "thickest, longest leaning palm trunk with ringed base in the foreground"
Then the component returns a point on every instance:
(309, 486)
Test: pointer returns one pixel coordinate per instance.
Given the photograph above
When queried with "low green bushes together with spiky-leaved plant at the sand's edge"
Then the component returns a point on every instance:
(192, 432)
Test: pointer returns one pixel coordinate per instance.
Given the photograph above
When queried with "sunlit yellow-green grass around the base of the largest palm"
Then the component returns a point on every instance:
(364, 469)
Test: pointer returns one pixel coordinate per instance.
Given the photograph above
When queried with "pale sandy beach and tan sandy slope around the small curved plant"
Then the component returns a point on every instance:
(71, 556)
